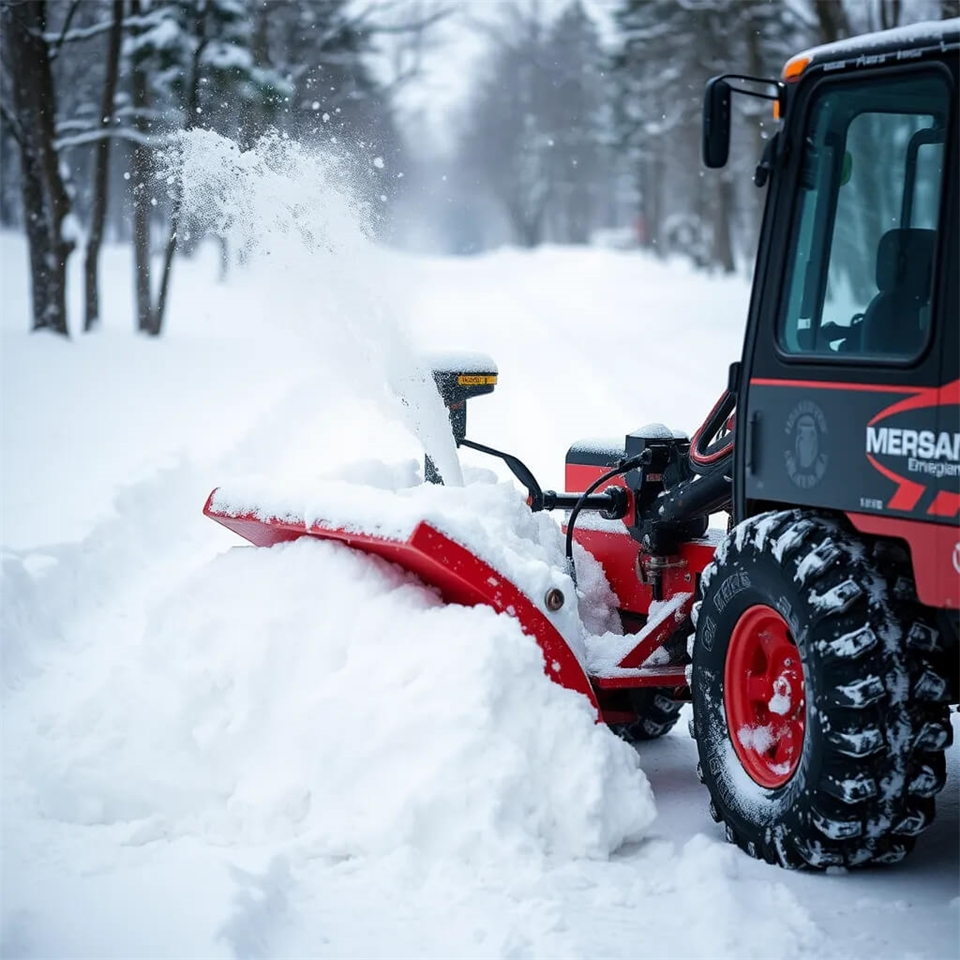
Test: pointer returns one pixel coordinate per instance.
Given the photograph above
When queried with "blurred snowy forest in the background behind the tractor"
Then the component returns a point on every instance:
(582, 125)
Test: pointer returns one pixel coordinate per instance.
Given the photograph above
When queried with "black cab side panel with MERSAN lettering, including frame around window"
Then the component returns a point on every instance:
(839, 432)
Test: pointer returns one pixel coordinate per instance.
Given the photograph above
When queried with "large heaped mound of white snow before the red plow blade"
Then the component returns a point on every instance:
(309, 692)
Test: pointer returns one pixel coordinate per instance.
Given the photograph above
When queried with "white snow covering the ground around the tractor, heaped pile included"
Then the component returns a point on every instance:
(210, 751)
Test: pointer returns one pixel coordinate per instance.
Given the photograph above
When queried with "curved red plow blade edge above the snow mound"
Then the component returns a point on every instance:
(439, 561)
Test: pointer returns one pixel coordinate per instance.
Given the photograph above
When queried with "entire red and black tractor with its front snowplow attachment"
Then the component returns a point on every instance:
(818, 637)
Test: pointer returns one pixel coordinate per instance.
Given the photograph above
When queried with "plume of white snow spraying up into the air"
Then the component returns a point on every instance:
(297, 216)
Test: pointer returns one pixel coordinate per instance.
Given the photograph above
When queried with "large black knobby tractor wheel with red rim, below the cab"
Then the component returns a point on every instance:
(843, 768)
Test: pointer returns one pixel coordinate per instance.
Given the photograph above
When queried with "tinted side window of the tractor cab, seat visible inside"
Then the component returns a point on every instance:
(860, 272)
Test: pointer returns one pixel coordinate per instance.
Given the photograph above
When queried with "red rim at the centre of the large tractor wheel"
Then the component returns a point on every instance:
(764, 696)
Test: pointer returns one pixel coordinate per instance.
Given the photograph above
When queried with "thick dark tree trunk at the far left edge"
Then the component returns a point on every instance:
(46, 203)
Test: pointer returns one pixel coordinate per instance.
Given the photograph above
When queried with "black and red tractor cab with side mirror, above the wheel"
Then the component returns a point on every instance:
(848, 386)
